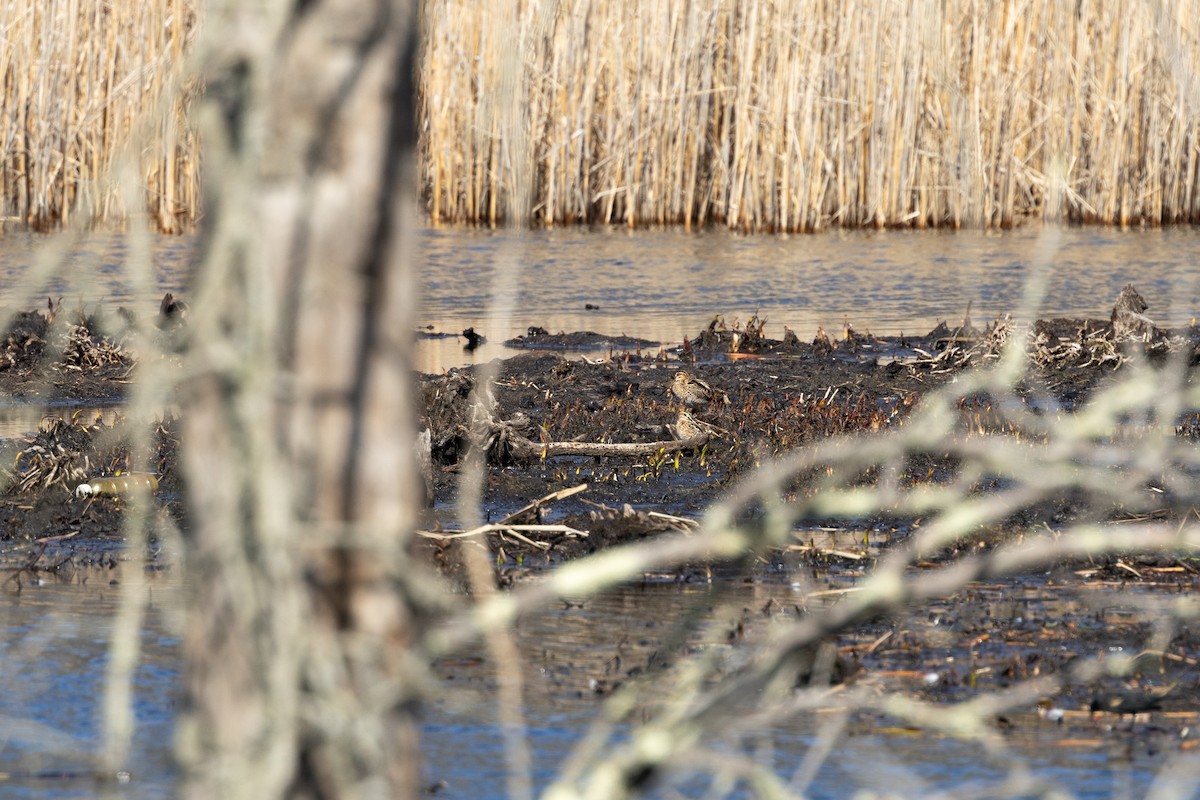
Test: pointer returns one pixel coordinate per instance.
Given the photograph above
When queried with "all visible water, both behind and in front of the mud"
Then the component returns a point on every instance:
(655, 285)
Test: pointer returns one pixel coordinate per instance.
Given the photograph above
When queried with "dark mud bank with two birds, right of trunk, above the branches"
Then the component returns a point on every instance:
(782, 395)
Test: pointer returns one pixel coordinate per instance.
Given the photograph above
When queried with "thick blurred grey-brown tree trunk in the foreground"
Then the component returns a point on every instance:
(297, 410)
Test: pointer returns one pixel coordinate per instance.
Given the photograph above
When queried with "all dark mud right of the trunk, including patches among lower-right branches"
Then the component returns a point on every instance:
(1059, 623)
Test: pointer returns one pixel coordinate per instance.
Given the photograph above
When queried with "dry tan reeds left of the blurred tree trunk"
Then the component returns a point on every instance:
(92, 89)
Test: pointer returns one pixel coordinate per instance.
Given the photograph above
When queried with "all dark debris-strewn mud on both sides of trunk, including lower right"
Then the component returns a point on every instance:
(770, 398)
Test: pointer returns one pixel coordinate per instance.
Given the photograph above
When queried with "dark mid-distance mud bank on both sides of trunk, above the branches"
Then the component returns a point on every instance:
(543, 412)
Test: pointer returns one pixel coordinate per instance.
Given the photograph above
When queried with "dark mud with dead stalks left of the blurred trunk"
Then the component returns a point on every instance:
(81, 356)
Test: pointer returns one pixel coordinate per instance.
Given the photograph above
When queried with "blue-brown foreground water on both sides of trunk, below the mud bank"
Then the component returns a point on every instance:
(53, 655)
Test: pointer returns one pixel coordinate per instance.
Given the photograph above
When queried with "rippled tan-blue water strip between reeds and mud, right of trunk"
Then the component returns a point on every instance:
(664, 286)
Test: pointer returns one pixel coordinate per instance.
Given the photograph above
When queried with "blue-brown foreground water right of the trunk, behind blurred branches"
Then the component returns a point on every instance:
(574, 657)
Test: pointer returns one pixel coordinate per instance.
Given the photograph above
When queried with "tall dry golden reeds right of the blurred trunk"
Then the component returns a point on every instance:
(801, 116)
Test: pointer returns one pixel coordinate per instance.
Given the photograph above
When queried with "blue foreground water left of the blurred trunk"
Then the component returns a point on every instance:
(55, 634)
